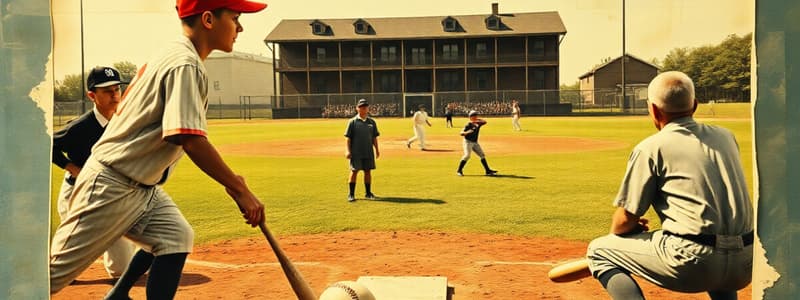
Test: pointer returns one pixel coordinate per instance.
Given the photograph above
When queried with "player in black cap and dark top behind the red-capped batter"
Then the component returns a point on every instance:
(73, 144)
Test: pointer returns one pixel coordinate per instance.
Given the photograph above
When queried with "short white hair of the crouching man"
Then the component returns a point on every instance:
(671, 91)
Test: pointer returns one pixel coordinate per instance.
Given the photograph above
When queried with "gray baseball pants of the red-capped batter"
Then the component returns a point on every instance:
(104, 207)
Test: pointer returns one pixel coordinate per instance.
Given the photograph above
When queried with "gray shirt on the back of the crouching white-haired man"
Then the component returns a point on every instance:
(692, 176)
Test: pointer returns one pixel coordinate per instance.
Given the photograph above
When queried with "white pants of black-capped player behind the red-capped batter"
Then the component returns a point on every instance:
(118, 255)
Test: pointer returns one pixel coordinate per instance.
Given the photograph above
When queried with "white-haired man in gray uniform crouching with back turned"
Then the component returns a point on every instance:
(691, 175)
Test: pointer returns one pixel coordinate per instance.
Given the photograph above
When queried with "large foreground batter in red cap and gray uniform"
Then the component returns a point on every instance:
(162, 115)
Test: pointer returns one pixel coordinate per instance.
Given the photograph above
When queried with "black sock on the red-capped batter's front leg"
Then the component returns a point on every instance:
(165, 274)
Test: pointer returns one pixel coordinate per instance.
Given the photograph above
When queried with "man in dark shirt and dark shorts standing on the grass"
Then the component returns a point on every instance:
(362, 135)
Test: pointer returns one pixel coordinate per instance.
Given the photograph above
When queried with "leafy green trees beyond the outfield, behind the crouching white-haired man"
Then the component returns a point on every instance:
(720, 72)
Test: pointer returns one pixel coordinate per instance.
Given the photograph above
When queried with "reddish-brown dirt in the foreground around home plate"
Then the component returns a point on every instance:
(478, 266)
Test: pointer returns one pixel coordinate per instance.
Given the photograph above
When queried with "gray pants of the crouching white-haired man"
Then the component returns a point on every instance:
(673, 262)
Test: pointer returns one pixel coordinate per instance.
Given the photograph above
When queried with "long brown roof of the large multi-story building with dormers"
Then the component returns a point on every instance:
(420, 27)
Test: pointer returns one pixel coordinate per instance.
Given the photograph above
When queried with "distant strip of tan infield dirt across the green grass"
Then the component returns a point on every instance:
(435, 145)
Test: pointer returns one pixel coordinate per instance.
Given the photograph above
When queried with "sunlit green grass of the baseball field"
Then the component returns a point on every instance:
(563, 195)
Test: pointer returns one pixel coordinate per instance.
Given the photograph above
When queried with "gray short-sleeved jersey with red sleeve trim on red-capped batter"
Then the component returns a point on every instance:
(172, 100)
